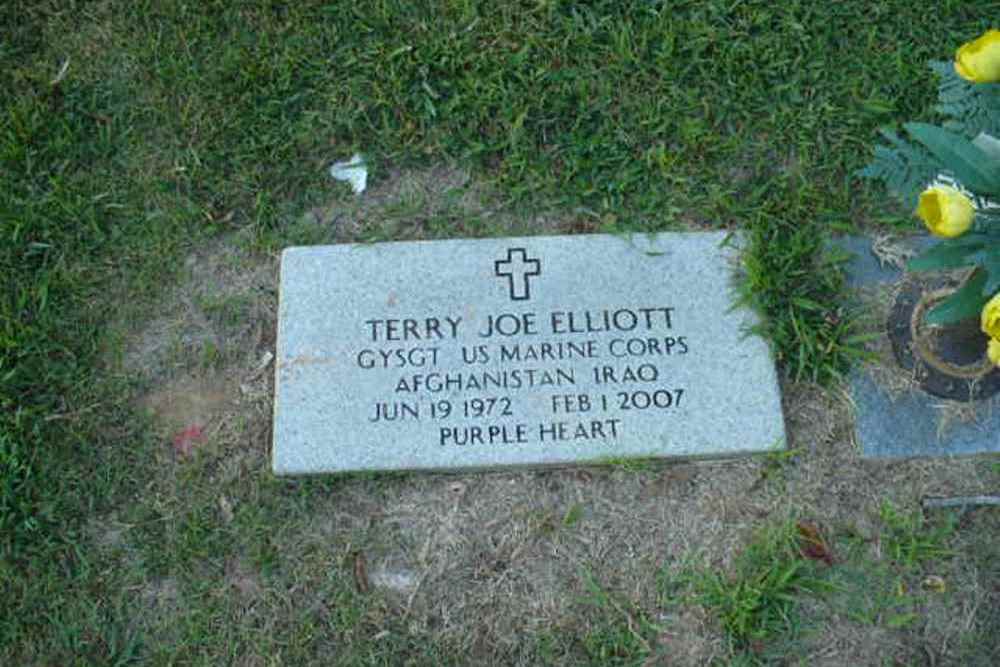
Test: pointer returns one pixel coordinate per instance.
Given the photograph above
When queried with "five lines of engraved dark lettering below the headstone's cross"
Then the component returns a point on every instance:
(408, 343)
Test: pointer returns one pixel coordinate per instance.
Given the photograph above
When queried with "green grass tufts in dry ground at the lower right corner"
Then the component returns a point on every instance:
(757, 602)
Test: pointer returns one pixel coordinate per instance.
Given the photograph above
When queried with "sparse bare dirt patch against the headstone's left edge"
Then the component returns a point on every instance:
(205, 357)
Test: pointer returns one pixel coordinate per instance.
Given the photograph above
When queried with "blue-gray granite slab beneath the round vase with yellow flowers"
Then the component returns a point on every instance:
(894, 425)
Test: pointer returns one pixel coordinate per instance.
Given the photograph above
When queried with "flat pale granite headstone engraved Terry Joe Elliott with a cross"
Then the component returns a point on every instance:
(516, 351)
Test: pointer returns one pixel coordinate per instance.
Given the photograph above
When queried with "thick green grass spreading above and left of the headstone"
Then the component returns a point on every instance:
(179, 122)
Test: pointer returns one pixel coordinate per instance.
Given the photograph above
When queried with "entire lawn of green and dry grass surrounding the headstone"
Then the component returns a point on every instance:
(155, 157)
